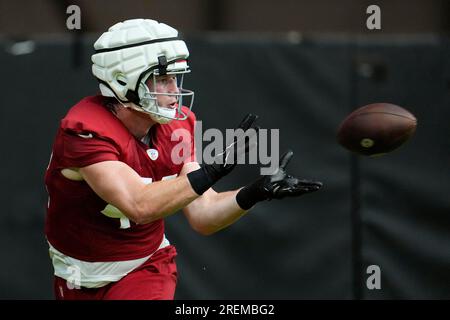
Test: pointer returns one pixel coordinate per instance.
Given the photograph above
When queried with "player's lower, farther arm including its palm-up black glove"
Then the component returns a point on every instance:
(214, 211)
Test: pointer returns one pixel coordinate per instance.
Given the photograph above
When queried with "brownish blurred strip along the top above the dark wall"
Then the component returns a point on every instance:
(22, 17)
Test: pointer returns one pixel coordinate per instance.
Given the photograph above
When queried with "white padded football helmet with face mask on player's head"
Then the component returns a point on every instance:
(132, 51)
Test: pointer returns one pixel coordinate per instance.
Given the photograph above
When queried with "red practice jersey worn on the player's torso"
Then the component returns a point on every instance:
(79, 223)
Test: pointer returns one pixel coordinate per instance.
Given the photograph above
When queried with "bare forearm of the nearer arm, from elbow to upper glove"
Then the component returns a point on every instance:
(163, 198)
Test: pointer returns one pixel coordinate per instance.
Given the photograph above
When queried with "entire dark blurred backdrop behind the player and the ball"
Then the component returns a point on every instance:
(393, 211)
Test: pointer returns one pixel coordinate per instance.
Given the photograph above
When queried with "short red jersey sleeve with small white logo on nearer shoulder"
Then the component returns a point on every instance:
(82, 150)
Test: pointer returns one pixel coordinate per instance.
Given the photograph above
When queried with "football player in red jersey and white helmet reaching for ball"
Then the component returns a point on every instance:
(112, 180)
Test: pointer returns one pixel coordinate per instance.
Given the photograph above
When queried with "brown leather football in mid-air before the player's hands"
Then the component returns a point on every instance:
(376, 129)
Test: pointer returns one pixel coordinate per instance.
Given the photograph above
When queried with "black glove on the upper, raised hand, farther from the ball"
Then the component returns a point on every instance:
(208, 174)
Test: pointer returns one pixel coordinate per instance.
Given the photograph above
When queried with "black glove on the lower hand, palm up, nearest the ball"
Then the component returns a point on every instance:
(275, 186)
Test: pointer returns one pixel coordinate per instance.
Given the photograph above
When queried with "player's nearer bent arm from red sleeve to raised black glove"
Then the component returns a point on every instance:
(118, 184)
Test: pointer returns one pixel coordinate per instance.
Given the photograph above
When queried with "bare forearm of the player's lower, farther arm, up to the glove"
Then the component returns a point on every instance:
(214, 211)
